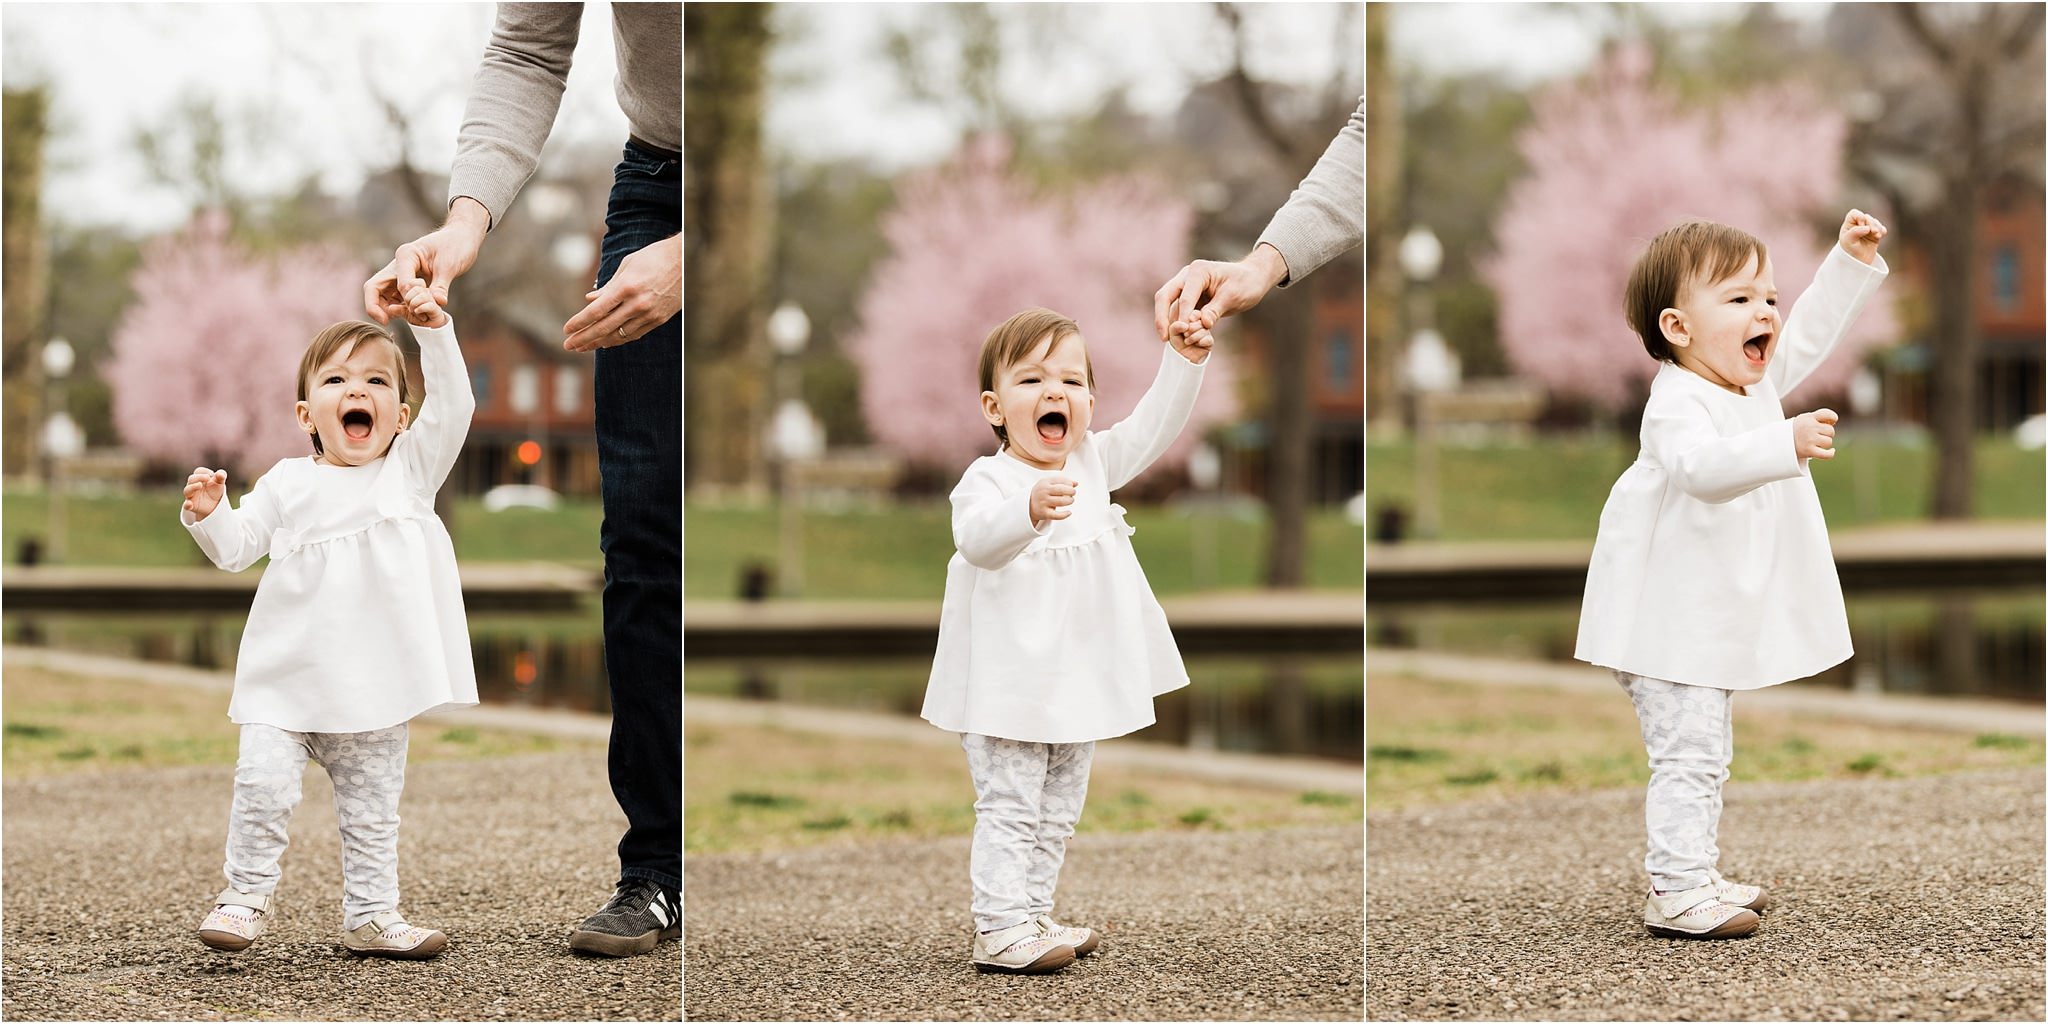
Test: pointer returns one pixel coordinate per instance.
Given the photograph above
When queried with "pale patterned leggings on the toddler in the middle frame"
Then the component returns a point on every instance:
(1027, 802)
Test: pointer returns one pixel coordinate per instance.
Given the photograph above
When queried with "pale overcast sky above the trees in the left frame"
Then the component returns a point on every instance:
(302, 67)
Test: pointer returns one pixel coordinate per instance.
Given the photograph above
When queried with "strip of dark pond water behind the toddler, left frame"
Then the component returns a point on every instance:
(525, 663)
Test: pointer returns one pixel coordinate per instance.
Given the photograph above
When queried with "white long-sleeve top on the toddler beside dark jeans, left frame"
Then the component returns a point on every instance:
(359, 620)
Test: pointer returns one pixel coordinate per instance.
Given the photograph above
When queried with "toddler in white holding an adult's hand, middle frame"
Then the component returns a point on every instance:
(1050, 636)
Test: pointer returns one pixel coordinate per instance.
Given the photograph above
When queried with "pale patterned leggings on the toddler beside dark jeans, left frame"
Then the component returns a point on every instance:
(368, 771)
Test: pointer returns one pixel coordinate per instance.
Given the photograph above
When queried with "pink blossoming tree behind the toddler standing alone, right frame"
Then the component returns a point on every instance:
(1617, 161)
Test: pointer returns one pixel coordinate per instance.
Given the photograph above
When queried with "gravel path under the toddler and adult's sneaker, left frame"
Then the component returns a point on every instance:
(108, 878)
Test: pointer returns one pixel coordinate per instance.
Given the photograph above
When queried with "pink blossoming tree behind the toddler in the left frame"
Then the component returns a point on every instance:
(206, 361)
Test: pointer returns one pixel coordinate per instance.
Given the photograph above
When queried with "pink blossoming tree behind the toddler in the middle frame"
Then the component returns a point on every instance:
(970, 245)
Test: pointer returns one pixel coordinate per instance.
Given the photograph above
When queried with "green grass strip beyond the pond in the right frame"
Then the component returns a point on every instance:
(1551, 488)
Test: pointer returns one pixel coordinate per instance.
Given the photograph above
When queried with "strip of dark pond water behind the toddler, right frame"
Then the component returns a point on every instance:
(1986, 642)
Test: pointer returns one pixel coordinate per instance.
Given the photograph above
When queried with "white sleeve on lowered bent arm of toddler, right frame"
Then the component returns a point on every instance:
(1701, 462)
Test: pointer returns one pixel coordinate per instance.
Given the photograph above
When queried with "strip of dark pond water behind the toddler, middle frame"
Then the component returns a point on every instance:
(1258, 706)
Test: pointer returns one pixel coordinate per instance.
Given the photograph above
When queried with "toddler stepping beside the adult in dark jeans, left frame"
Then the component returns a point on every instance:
(357, 624)
